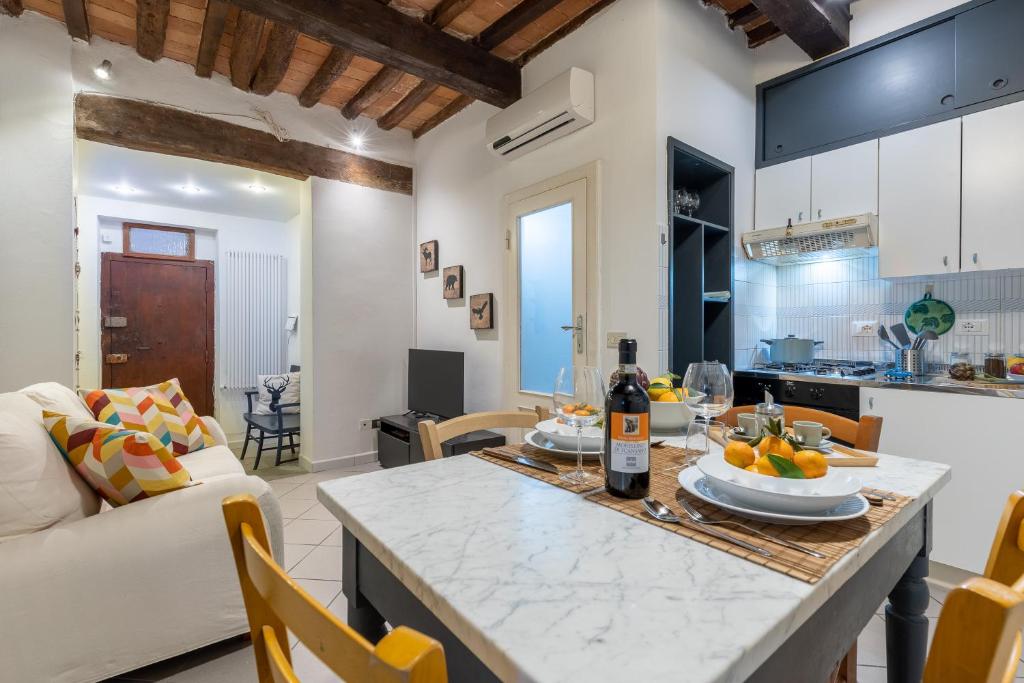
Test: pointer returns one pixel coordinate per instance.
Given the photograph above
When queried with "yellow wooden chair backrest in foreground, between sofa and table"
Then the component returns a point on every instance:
(275, 603)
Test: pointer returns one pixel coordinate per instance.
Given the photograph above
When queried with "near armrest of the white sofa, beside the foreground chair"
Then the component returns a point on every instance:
(127, 587)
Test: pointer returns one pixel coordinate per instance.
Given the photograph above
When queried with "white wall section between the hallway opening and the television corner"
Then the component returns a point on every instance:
(363, 315)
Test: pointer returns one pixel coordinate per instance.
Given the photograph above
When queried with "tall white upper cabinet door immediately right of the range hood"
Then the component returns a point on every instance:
(919, 201)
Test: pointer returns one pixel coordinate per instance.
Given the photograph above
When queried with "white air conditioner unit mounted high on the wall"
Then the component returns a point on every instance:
(562, 106)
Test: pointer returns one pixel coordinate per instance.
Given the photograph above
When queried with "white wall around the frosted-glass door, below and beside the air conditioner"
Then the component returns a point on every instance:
(460, 190)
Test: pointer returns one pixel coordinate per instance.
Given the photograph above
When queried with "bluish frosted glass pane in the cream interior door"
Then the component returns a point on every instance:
(545, 296)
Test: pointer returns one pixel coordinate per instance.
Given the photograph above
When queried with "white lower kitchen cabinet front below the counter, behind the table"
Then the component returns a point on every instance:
(970, 435)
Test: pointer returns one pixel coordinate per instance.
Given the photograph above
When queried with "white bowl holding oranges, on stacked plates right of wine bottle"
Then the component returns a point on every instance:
(779, 495)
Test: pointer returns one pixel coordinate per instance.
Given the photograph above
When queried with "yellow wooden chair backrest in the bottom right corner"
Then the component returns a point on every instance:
(978, 638)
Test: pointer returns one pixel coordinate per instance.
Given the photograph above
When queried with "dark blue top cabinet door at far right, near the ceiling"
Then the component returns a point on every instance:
(990, 52)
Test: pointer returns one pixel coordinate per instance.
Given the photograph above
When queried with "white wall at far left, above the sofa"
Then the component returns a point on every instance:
(36, 209)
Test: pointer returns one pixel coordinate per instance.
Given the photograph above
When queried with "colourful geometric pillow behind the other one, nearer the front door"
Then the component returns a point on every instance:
(161, 410)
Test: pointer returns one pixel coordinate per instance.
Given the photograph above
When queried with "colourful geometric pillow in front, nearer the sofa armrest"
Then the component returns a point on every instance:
(120, 465)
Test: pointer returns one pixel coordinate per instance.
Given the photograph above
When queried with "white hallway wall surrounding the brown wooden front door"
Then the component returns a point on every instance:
(217, 234)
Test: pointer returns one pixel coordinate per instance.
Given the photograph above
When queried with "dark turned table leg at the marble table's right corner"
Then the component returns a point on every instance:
(907, 626)
